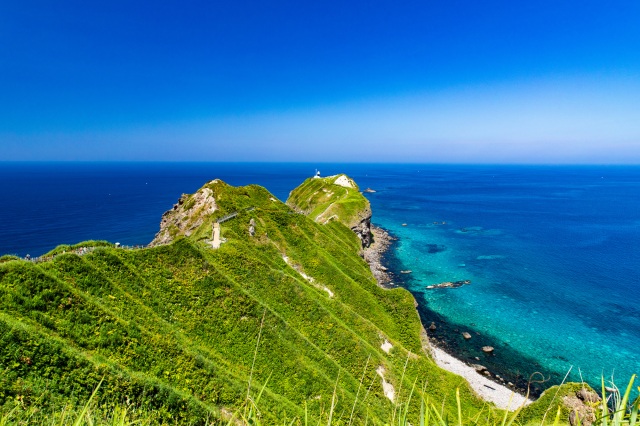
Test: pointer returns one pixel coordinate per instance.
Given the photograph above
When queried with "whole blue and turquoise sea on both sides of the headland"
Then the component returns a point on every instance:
(552, 252)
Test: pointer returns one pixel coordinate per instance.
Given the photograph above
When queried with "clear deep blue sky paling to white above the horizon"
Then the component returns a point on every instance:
(338, 81)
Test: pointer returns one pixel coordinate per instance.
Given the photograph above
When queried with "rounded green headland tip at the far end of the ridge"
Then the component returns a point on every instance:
(334, 198)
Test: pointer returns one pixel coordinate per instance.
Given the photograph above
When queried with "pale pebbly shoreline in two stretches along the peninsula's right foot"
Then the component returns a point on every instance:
(500, 395)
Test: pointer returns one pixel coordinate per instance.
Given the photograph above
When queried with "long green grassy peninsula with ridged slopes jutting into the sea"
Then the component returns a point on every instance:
(179, 332)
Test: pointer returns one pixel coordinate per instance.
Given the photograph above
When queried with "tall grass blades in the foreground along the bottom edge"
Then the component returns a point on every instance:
(613, 410)
